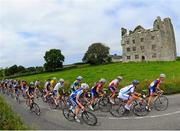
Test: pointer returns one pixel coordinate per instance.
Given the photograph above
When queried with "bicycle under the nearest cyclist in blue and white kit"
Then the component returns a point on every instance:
(88, 117)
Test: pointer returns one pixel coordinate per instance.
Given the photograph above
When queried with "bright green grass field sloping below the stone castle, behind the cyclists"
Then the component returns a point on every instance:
(144, 72)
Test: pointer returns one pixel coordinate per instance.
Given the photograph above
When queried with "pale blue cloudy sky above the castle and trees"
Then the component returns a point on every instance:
(29, 28)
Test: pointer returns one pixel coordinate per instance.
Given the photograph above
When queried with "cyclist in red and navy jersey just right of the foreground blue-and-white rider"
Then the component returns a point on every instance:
(96, 91)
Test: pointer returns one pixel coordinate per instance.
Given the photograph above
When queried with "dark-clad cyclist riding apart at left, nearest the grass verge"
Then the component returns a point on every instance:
(30, 93)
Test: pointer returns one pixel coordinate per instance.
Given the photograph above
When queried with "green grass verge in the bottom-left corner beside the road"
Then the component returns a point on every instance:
(8, 119)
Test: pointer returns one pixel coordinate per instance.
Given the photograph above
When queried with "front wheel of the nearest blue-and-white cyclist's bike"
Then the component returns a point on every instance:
(89, 118)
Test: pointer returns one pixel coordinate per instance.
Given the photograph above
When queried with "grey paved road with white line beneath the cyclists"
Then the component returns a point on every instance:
(54, 119)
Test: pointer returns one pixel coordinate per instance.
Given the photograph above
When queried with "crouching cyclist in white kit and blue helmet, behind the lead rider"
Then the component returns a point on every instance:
(128, 93)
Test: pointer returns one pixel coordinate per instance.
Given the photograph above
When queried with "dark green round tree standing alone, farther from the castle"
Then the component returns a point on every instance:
(54, 59)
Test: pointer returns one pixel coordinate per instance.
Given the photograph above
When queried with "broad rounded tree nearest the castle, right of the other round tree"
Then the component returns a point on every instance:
(97, 53)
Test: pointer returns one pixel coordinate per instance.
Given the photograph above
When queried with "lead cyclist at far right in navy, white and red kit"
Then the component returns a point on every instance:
(152, 89)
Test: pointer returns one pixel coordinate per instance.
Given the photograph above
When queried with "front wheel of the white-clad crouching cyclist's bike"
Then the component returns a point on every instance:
(139, 108)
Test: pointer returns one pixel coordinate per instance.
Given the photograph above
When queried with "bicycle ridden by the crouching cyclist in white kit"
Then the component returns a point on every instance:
(138, 107)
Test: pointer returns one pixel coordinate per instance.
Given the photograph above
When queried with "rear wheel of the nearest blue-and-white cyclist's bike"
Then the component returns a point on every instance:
(68, 114)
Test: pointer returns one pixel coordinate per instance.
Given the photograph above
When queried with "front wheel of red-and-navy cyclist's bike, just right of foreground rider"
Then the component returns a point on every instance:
(104, 104)
